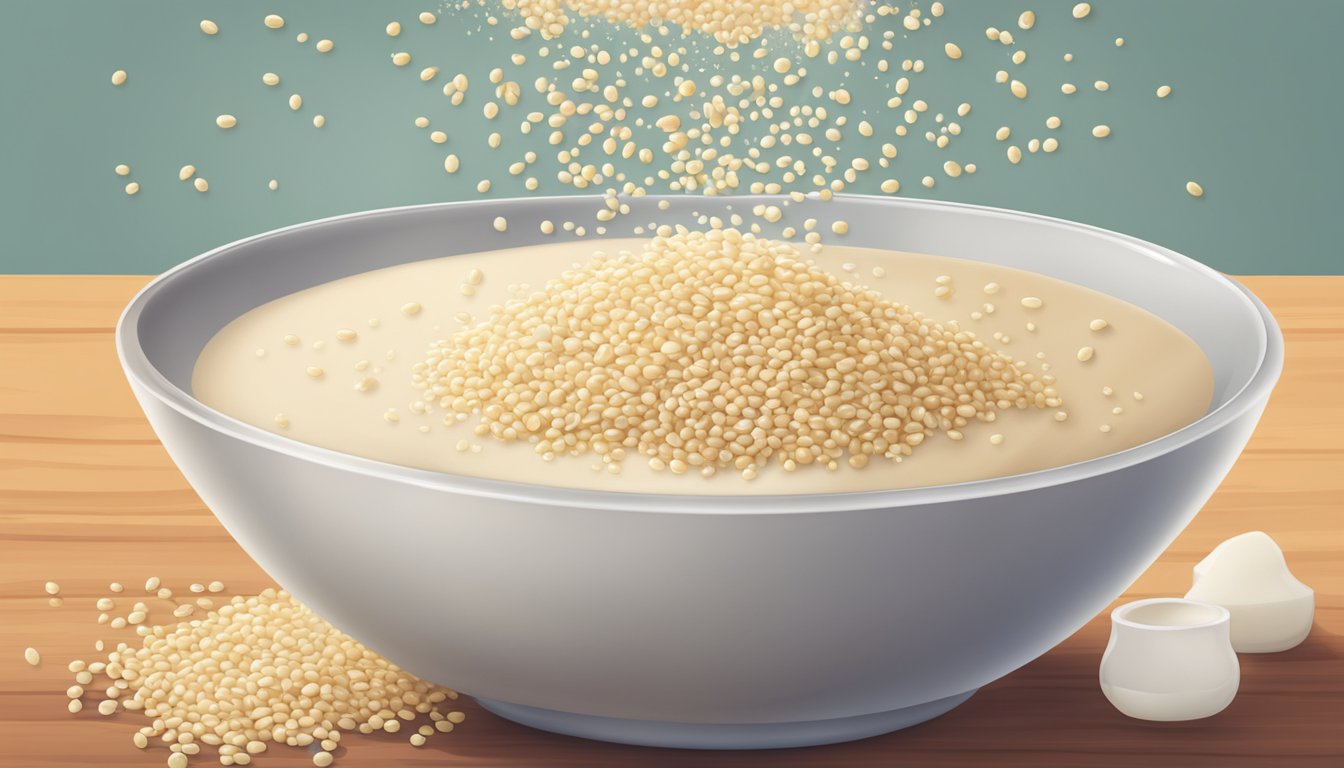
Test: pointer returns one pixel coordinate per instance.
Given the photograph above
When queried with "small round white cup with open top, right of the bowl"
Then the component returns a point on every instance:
(1170, 660)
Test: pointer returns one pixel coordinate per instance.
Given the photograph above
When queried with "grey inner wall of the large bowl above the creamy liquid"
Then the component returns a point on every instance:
(173, 321)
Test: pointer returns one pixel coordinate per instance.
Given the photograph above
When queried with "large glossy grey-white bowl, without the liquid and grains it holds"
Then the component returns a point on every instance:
(698, 621)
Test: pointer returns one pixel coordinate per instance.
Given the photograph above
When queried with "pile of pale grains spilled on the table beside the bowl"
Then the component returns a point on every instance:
(257, 673)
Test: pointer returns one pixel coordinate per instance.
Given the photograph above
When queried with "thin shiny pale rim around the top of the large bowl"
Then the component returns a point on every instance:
(144, 376)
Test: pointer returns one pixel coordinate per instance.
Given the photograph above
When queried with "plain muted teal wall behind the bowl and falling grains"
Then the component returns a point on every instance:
(1255, 118)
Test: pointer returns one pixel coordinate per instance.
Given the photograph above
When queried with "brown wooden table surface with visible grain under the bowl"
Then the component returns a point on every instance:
(88, 497)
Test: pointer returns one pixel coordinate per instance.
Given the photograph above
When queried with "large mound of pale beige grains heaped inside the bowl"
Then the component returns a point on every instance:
(716, 350)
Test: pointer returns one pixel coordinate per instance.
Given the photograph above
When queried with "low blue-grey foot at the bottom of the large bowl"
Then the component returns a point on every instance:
(722, 736)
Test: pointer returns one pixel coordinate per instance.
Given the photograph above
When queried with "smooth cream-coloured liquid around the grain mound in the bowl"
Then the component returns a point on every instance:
(333, 367)
